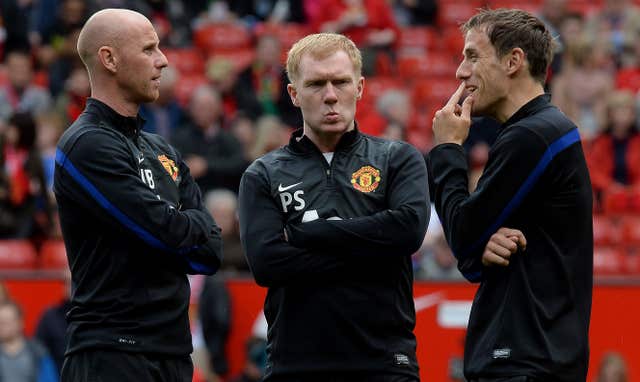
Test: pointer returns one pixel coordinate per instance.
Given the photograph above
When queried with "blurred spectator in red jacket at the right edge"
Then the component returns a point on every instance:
(614, 155)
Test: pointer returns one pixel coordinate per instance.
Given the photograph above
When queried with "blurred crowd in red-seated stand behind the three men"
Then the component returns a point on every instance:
(223, 99)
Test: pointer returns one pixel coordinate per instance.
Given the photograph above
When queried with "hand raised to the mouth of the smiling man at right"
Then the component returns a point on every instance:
(451, 123)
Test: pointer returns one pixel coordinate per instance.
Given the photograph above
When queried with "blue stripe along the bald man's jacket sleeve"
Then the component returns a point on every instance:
(146, 236)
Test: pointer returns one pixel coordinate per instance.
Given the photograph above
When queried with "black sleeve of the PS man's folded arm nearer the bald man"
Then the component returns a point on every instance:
(273, 261)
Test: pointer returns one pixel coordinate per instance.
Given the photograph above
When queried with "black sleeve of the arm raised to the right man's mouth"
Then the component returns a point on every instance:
(469, 220)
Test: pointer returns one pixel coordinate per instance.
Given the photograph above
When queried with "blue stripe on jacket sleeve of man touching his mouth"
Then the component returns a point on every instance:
(556, 147)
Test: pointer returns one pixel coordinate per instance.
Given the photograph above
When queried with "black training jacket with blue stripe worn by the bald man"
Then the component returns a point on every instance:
(134, 225)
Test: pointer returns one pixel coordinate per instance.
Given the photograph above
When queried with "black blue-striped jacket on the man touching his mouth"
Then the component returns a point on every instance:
(532, 317)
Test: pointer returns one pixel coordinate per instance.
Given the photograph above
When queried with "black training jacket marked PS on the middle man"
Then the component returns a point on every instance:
(340, 291)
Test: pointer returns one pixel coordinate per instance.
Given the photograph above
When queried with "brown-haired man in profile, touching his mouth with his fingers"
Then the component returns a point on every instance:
(530, 318)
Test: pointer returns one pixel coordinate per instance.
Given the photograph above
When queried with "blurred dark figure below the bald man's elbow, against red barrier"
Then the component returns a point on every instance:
(214, 312)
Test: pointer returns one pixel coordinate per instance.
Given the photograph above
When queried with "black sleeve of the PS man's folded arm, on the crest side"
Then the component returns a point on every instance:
(398, 230)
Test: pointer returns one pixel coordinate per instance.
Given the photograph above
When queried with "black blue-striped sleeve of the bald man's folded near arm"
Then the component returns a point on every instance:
(106, 182)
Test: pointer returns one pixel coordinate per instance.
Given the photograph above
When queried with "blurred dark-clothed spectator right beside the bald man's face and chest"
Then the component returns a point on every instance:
(214, 155)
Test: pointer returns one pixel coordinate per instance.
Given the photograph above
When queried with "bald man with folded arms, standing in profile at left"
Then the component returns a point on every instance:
(133, 220)
